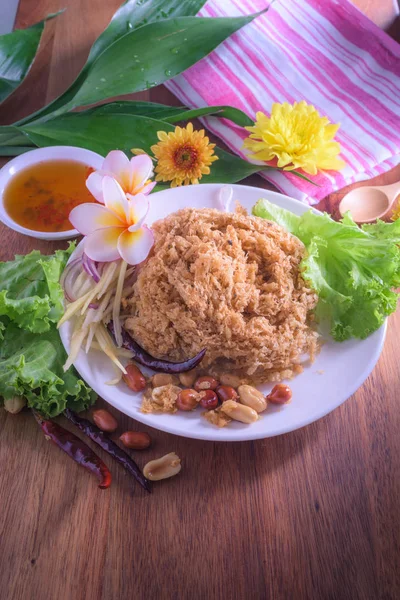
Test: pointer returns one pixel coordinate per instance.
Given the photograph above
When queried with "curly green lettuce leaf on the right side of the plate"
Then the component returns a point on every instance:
(353, 269)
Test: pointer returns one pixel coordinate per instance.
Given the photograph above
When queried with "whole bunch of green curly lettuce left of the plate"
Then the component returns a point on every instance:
(31, 352)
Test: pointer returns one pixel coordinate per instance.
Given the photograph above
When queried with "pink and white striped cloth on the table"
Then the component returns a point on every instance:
(325, 52)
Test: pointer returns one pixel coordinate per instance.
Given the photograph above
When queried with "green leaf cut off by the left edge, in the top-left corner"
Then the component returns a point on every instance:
(17, 51)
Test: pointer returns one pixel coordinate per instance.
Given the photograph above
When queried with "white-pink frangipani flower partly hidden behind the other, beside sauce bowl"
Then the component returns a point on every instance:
(132, 175)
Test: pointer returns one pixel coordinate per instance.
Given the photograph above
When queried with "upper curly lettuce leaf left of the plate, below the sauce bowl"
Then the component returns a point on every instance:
(30, 293)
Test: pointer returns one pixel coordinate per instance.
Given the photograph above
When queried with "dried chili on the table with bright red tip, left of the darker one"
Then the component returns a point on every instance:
(76, 449)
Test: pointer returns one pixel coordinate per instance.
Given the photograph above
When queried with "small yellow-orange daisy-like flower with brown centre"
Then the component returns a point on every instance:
(183, 156)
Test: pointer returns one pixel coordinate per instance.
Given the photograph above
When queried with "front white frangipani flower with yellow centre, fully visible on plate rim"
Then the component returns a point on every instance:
(116, 229)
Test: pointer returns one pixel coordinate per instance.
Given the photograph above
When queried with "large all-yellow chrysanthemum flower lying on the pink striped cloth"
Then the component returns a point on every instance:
(297, 136)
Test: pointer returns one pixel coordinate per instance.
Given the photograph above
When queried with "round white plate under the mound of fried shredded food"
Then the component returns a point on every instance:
(337, 372)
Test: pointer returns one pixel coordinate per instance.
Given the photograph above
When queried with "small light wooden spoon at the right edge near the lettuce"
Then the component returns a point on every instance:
(366, 204)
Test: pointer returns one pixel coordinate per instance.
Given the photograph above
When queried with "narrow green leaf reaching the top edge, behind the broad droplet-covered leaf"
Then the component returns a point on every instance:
(130, 16)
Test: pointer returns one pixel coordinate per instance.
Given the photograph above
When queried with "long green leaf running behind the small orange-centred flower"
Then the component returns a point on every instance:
(102, 133)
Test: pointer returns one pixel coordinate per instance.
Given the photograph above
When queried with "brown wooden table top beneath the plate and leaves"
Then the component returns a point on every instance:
(313, 514)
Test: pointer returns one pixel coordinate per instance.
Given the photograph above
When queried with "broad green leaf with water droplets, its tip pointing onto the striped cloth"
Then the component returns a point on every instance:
(151, 55)
